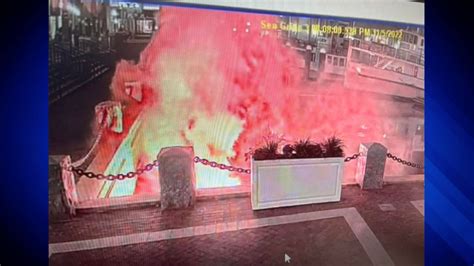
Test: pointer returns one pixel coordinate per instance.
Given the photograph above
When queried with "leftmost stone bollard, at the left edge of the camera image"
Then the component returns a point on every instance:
(62, 195)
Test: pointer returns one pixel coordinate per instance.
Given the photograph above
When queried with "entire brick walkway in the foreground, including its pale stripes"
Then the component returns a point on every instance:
(382, 227)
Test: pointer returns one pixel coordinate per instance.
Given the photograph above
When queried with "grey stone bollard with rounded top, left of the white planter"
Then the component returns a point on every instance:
(177, 177)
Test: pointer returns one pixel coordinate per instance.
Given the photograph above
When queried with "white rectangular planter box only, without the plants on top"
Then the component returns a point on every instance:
(290, 182)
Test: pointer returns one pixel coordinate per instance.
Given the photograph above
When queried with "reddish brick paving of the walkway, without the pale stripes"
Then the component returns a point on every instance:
(399, 231)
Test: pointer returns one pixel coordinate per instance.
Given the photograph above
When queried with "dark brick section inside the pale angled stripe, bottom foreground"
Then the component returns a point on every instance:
(326, 242)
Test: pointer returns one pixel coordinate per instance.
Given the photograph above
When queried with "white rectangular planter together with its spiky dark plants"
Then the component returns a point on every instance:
(305, 172)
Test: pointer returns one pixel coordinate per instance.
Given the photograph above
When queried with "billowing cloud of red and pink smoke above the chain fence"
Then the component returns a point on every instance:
(229, 67)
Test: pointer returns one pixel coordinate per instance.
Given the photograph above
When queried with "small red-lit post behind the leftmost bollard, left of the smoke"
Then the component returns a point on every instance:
(109, 114)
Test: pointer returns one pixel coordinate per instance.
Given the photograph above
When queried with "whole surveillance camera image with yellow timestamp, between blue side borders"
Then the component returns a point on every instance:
(185, 135)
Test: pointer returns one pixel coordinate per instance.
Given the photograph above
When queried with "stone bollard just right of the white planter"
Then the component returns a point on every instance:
(371, 165)
